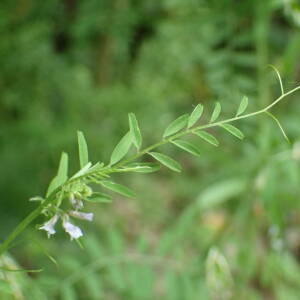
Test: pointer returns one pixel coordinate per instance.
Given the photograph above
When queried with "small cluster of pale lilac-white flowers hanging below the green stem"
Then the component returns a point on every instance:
(73, 230)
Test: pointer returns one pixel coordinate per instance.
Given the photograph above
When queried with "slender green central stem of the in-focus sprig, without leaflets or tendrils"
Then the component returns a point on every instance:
(35, 213)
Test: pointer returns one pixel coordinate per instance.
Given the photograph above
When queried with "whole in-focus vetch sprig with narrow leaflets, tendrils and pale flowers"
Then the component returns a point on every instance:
(73, 191)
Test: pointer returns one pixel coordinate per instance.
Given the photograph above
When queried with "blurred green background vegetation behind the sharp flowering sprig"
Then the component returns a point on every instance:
(228, 226)
